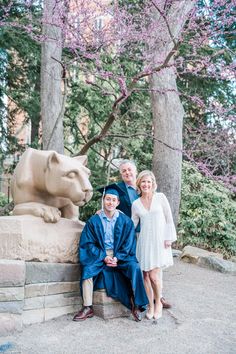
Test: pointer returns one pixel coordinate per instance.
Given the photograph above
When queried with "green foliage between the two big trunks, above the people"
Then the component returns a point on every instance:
(130, 137)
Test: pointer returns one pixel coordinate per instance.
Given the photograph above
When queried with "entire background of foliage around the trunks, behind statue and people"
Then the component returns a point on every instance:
(94, 78)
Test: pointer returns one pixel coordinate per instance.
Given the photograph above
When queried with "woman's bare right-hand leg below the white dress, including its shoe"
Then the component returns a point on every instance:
(154, 275)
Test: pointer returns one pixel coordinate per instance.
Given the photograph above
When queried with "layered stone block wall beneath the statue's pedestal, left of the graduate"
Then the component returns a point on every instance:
(33, 292)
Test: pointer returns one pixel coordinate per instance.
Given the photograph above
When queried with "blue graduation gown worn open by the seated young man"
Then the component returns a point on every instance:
(122, 281)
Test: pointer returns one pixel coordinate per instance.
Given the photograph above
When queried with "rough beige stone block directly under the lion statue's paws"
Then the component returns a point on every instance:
(29, 238)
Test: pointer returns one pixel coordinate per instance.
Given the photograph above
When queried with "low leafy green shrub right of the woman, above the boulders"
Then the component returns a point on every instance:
(207, 214)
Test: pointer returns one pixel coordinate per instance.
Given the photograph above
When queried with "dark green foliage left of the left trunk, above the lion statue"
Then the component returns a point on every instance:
(19, 77)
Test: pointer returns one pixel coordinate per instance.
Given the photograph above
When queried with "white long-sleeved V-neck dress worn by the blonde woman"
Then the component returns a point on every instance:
(156, 226)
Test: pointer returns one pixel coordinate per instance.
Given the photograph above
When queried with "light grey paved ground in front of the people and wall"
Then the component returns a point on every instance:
(203, 320)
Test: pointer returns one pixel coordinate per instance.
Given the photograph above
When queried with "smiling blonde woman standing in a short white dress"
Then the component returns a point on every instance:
(157, 232)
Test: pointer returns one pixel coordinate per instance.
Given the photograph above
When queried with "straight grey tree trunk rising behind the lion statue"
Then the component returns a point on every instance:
(51, 80)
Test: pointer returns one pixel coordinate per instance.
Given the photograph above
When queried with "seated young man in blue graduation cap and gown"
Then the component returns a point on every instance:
(107, 251)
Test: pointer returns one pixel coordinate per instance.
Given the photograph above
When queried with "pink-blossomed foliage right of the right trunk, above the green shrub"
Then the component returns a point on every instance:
(208, 94)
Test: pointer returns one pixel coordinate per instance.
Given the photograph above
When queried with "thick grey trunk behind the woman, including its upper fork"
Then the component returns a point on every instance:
(166, 106)
